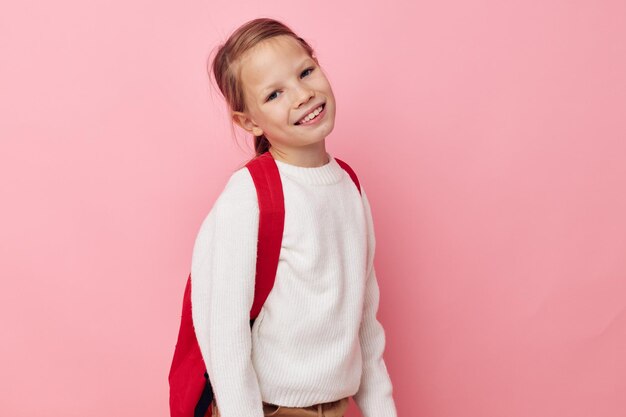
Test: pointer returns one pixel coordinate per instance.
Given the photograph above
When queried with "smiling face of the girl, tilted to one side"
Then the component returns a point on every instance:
(282, 84)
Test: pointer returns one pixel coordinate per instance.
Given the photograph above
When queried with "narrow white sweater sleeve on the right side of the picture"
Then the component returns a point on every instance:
(374, 397)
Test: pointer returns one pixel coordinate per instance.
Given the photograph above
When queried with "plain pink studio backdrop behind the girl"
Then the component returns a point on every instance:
(490, 136)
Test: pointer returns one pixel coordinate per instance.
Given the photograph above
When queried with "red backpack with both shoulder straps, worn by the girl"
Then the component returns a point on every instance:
(191, 393)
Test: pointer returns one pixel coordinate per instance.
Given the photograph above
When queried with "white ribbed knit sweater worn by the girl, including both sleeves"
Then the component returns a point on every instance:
(317, 338)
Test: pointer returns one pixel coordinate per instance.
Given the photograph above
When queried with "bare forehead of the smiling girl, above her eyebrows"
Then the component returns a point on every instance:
(270, 60)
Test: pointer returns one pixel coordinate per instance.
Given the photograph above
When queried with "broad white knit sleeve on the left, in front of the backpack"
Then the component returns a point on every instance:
(222, 292)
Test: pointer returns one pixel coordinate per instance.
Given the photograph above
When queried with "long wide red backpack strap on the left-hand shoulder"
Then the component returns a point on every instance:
(269, 190)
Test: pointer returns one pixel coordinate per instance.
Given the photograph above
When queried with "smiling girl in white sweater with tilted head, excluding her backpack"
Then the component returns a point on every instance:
(317, 341)
